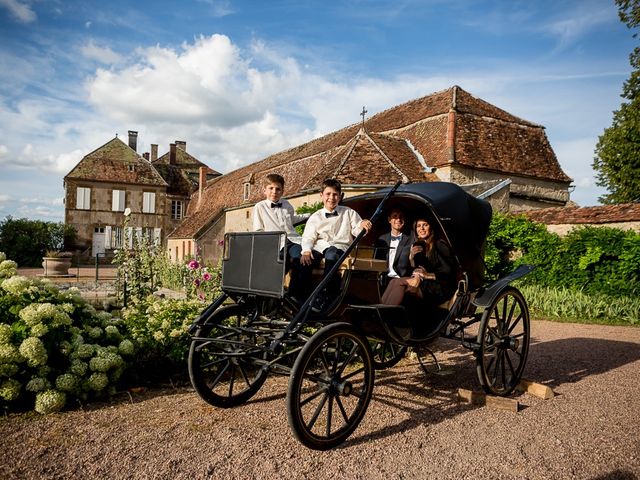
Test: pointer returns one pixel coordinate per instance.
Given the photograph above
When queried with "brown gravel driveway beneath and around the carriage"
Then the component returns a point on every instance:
(414, 428)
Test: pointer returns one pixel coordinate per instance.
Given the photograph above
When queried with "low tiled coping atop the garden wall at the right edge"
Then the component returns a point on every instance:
(624, 212)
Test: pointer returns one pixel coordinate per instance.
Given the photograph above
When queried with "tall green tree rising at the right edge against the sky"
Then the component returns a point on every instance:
(617, 160)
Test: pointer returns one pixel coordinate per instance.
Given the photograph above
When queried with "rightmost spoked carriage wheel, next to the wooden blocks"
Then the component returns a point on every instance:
(504, 343)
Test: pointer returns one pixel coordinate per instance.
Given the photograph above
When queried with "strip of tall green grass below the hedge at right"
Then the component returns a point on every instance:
(569, 305)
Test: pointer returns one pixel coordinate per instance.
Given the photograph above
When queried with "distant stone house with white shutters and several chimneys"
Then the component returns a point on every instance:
(113, 178)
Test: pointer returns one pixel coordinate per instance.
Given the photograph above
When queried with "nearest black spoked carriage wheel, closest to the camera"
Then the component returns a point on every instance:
(330, 386)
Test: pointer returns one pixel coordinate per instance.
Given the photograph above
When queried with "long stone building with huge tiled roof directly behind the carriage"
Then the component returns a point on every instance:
(449, 136)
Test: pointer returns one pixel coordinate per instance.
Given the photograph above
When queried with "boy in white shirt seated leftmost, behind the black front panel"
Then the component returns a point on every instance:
(275, 214)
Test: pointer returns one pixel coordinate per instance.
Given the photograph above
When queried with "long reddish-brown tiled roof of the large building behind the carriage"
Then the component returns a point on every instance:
(486, 137)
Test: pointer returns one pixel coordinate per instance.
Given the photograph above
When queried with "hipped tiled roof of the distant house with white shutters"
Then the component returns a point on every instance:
(111, 163)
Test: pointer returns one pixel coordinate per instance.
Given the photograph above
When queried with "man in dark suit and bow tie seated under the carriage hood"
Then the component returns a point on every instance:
(394, 247)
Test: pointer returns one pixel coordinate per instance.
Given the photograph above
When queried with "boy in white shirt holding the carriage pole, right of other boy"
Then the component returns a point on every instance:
(327, 234)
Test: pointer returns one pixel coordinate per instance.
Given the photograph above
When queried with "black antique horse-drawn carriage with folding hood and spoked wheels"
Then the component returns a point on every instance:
(255, 329)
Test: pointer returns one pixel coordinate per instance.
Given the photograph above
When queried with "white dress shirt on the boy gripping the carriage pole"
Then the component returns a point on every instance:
(321, 232)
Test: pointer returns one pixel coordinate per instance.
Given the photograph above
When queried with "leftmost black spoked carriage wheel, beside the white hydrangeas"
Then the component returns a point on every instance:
(218, 374)
